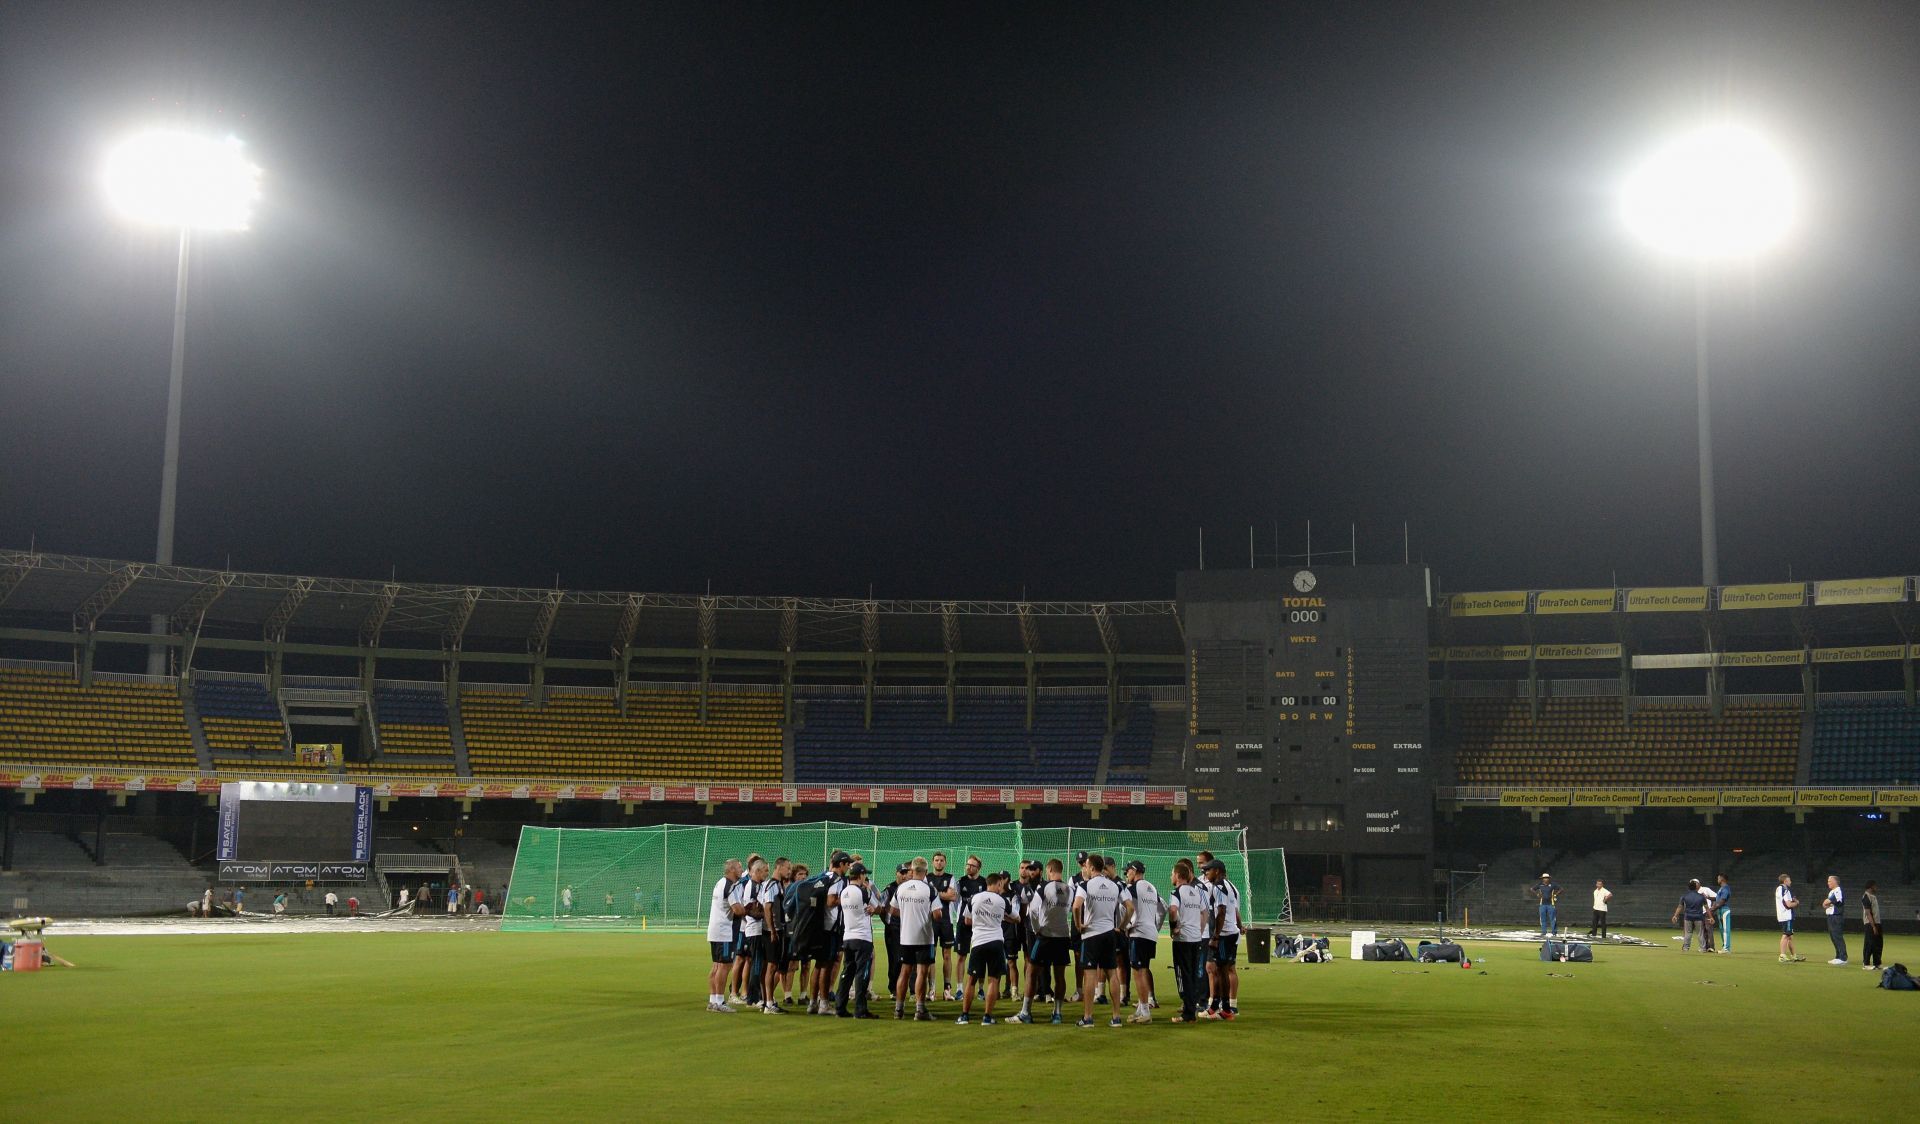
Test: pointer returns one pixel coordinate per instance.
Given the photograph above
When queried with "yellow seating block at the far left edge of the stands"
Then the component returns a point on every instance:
(49, 720)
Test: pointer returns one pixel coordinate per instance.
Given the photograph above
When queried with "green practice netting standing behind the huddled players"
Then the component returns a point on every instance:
(661, 877)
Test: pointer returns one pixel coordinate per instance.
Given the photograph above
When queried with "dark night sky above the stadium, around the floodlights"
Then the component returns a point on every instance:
(957, 301)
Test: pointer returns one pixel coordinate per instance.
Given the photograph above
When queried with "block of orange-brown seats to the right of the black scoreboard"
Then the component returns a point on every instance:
(1589, 741)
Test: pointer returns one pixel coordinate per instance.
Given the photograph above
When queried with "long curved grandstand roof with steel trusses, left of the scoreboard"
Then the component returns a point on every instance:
(51, 591)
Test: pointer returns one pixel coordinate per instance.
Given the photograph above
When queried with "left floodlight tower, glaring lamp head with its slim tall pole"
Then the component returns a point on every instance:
(181, 182)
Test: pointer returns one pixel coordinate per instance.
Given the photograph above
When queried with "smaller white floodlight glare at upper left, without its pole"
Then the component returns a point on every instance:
(180, 180)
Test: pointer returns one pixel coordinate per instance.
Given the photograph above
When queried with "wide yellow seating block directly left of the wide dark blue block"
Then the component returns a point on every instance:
(661, 737)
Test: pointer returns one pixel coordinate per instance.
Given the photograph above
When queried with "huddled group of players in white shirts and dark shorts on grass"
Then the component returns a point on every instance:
(780, 929)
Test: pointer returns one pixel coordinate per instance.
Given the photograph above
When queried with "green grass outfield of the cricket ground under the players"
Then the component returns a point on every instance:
(514, 1027)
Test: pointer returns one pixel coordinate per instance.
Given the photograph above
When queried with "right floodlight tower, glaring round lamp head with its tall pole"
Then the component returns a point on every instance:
(1716, 195)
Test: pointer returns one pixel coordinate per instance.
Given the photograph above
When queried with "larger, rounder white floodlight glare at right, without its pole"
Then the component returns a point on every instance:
(1717, 193)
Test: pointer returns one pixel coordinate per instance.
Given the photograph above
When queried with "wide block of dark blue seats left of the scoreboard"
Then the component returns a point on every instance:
(988, 743)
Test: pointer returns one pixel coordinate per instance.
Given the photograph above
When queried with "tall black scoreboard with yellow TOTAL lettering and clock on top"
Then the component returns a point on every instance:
(1308, 718)
